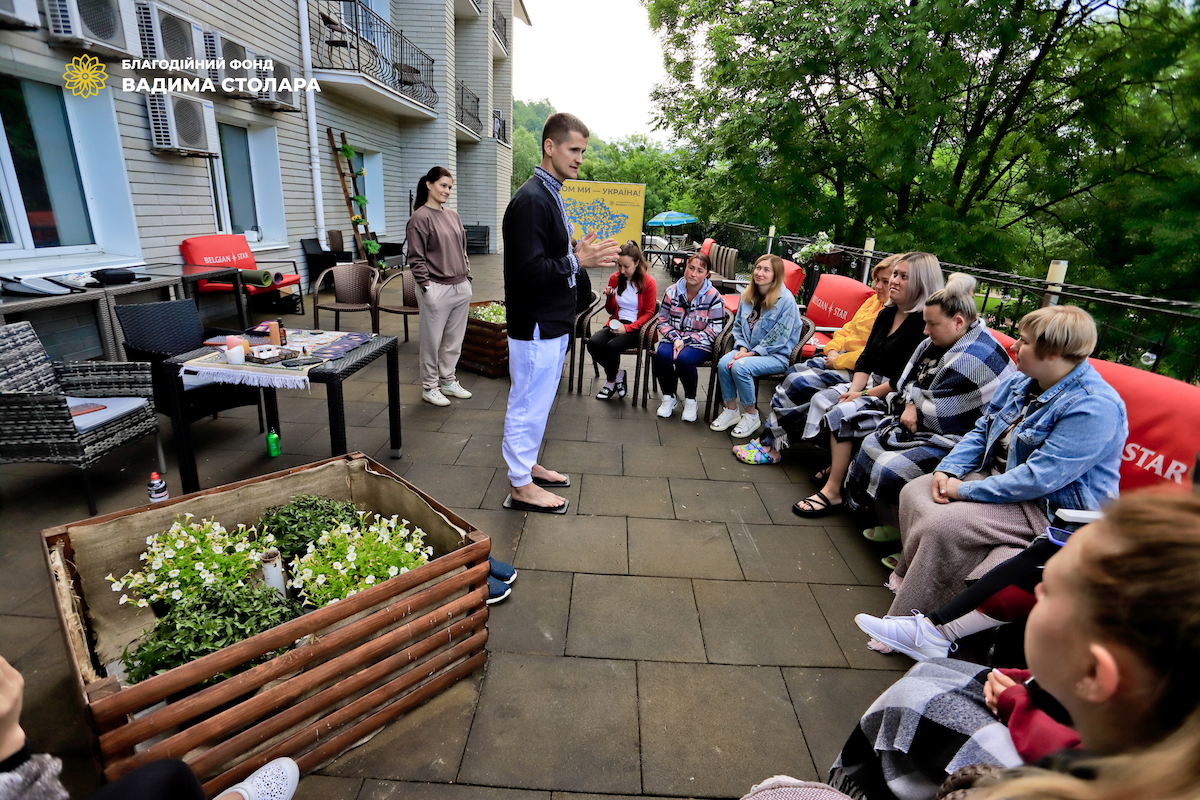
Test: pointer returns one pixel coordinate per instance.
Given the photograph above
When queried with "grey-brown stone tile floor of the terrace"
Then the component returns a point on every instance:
(679, 634)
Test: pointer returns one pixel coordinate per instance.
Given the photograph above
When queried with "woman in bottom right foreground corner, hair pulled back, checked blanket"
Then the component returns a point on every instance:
(1112, 643)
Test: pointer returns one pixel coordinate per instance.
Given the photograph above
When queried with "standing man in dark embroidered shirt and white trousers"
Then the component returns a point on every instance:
(539, 291)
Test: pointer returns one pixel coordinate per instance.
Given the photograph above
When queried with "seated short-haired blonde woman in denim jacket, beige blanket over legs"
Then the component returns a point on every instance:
(1052, 438)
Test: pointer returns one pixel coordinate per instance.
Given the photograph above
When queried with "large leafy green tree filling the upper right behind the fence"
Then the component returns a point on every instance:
(985, 131)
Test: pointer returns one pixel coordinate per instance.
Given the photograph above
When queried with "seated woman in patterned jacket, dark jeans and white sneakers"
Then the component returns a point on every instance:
(691, 320)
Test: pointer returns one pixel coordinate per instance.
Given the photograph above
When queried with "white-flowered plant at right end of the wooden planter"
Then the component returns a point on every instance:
(349, 558)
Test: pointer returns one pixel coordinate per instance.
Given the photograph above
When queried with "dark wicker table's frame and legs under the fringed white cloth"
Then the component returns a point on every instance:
(332, 374)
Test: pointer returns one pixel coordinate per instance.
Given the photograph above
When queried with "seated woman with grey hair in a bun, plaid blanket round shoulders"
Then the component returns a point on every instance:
(949, 382)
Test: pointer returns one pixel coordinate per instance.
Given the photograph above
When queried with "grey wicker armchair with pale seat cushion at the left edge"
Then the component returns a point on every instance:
(35, 414)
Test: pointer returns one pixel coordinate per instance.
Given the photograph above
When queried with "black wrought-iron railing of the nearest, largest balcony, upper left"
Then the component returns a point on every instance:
(350, 37)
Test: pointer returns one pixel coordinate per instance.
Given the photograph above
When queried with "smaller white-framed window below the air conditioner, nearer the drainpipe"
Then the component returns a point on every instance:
(248, 191)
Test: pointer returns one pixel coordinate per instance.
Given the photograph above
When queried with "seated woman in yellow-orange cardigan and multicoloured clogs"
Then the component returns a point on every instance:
(790, 405)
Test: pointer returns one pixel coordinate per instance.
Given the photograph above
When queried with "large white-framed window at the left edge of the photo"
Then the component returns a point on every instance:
(43, 201)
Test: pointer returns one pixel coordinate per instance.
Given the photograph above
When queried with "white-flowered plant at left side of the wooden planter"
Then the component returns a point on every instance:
(189, 557)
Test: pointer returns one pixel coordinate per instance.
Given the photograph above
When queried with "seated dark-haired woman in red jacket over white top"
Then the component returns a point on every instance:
(629, 300)
